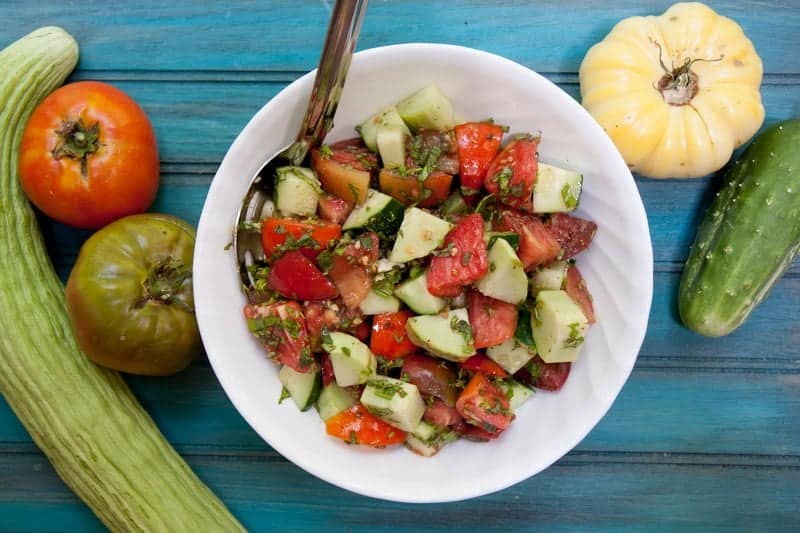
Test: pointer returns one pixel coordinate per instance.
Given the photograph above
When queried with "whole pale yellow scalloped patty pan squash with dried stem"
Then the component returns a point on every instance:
(677, 93)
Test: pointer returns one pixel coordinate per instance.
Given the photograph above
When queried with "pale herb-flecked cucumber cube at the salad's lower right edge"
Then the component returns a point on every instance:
(559, 326)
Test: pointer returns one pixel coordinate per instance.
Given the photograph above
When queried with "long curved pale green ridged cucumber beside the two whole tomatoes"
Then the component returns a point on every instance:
(84, 418)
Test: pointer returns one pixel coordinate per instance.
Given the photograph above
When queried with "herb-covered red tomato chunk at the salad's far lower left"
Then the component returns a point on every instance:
(281, 328)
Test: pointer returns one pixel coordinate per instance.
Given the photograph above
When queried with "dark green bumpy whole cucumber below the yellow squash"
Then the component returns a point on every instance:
(748, 236)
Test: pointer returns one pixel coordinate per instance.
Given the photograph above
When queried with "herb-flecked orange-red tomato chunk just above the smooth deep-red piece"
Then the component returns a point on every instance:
(281, 234)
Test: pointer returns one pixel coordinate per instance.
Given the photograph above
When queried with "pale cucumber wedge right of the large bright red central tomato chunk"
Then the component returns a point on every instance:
(506, 279)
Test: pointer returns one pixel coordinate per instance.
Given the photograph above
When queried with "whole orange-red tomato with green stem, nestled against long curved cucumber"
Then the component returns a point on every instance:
(89, 156)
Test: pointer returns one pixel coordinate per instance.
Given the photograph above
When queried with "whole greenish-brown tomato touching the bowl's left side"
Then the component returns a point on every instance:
(129, 295)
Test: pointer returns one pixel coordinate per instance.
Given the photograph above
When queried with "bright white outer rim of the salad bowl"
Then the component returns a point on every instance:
(235, 395)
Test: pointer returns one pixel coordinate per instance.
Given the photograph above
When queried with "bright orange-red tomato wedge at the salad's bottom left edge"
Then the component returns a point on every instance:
(356, 425)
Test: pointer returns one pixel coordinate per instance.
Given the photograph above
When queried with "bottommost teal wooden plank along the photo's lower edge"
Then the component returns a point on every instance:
(267, 494)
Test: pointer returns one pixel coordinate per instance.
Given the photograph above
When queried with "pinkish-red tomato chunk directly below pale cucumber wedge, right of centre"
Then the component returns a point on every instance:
(492, 321)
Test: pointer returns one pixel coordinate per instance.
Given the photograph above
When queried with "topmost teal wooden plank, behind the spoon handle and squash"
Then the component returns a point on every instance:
(288, 34)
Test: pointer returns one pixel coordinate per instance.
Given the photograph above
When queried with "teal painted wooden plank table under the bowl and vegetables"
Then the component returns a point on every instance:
(706, 434)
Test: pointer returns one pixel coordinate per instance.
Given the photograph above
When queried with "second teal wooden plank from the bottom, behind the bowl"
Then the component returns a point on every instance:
(664, 410)
